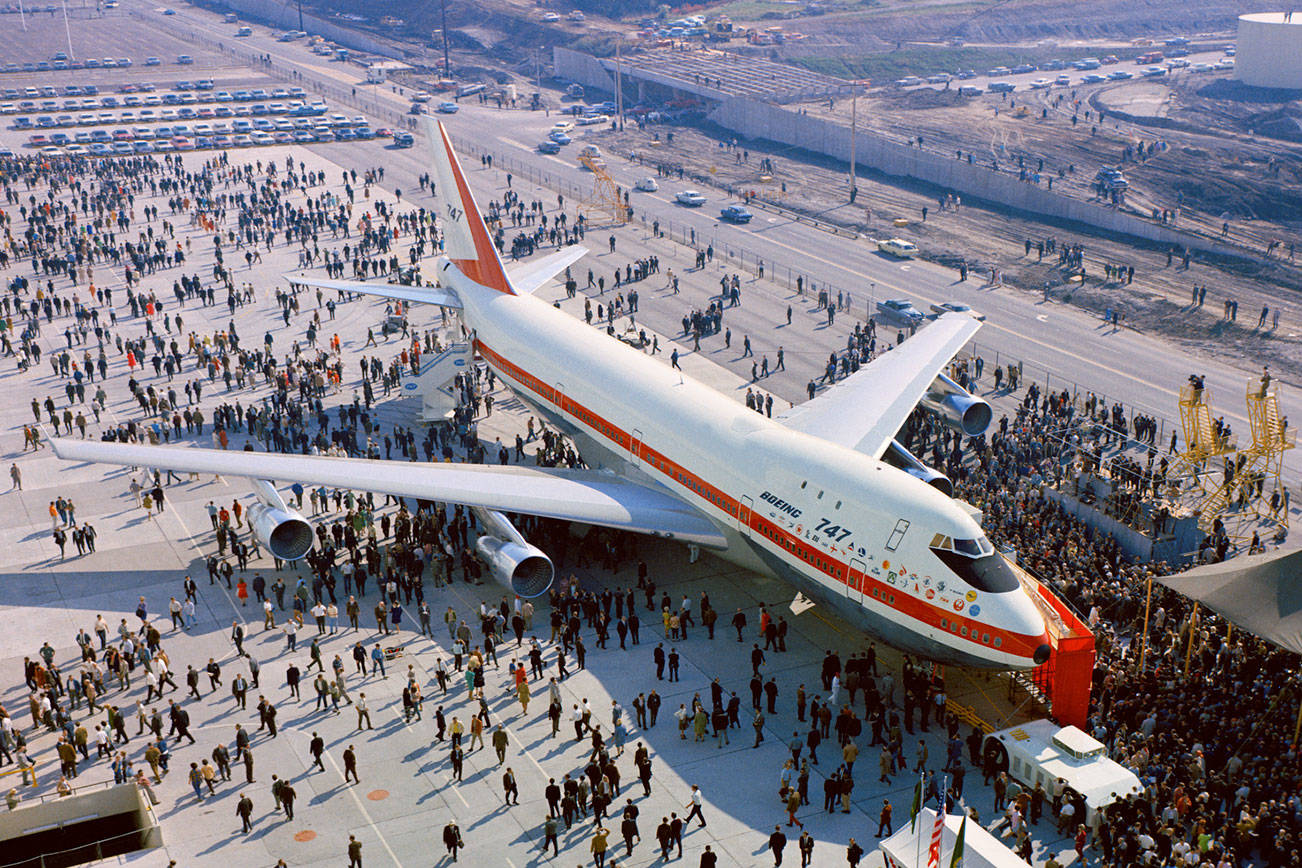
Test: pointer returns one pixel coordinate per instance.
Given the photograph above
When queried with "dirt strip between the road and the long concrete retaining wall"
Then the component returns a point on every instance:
(986, 236)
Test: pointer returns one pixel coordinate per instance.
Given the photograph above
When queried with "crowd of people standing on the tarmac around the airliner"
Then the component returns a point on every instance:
(1219, 779)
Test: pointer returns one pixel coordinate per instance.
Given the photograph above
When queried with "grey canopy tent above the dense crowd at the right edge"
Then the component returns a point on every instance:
(1261, 594)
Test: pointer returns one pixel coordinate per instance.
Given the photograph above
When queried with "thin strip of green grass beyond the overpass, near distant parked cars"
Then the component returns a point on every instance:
(929, 61)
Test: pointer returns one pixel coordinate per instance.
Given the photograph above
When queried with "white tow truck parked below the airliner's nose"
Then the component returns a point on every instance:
(1062, 757)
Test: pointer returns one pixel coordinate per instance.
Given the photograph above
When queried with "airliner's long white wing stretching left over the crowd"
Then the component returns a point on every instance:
(570, 495)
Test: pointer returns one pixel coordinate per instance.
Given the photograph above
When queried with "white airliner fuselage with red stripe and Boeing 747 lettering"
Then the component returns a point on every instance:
(839, 524)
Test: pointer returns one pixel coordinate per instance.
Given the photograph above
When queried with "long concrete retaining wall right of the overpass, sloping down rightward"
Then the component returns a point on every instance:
(783, 126)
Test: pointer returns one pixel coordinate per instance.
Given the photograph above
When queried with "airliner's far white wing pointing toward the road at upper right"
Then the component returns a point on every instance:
(866, 411)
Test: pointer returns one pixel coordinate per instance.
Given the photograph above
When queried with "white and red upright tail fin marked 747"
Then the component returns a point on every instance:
(467, 240)
